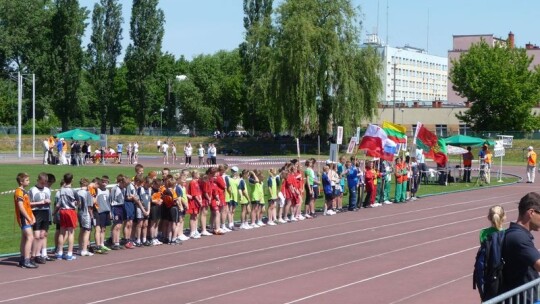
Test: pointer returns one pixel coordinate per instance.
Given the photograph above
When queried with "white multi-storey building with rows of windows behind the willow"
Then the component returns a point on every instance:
(419, 77)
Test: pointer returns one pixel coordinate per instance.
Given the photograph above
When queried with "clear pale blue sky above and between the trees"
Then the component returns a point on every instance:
(194, 27)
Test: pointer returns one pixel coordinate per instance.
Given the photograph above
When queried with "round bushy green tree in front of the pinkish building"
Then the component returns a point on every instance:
(499, 84)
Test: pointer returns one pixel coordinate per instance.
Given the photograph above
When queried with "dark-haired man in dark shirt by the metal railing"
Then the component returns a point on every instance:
(522, 259)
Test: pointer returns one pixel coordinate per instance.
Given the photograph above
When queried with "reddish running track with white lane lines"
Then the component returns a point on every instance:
(419, 252)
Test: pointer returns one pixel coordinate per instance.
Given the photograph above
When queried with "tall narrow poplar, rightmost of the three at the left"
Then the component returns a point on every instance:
(142, 55)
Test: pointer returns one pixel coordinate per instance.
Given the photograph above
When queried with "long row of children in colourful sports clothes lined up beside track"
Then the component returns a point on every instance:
(149, 211)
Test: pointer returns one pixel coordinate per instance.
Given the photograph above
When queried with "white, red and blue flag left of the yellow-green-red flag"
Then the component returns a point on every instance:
(377, 143)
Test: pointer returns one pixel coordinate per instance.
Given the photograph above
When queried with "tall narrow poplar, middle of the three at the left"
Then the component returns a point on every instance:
(103, 52)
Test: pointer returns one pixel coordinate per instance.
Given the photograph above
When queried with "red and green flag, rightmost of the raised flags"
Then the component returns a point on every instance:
(433, 147)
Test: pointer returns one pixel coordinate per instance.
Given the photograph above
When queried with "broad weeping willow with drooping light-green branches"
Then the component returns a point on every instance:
(317, 62)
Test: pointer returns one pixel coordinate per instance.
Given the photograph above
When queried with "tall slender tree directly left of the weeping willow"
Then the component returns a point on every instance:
(256, 53)
